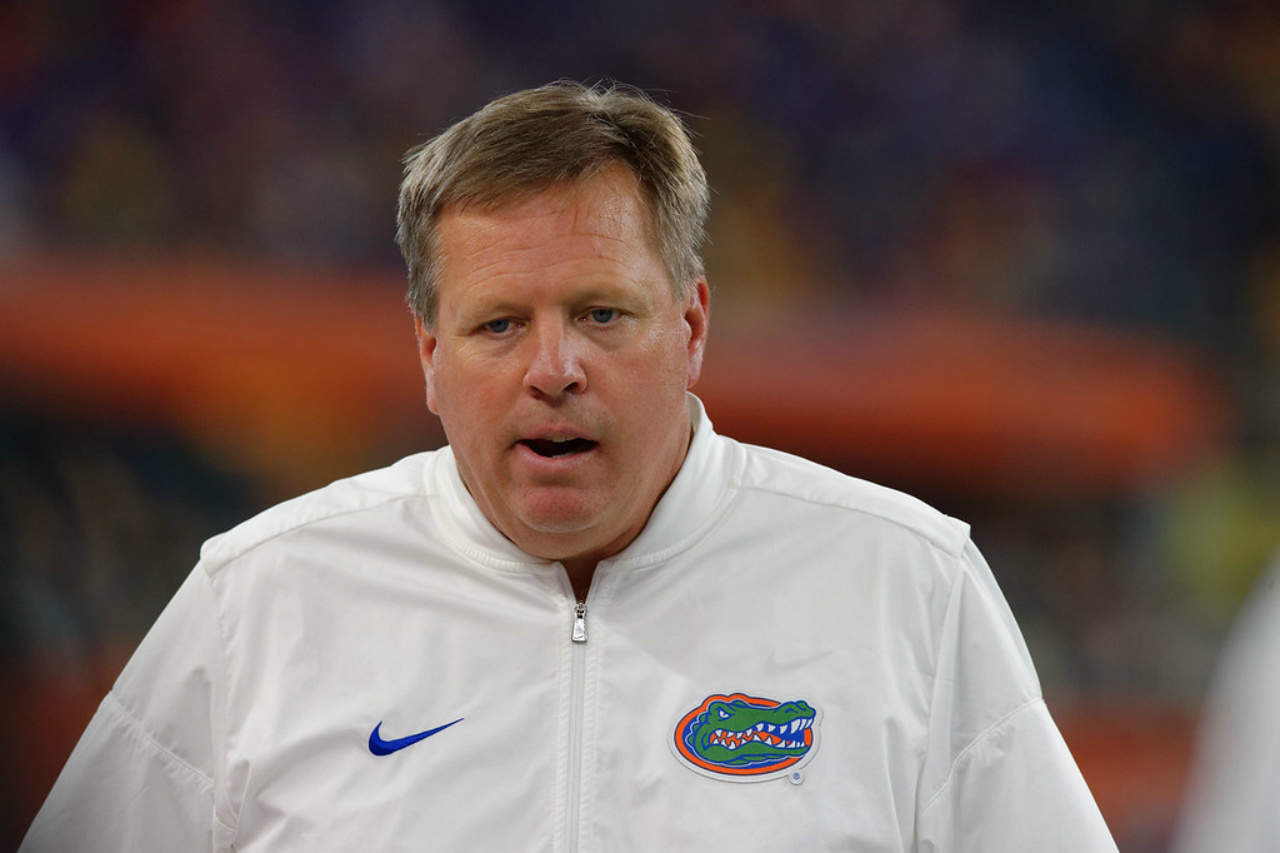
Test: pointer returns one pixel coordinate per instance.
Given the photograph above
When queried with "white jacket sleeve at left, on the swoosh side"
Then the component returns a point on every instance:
(144, 776)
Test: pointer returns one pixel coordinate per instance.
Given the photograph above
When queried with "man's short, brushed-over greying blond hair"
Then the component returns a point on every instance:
(522, 144)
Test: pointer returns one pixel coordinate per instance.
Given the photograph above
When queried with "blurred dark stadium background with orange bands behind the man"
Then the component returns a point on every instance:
(1023, 264)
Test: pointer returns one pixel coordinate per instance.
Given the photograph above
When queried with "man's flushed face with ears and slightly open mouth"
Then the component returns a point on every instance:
(559, 364)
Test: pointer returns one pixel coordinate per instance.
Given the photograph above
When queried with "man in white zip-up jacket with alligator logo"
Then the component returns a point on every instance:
(589, 623)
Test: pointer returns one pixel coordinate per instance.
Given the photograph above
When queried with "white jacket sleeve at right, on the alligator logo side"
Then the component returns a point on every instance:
(998, 774)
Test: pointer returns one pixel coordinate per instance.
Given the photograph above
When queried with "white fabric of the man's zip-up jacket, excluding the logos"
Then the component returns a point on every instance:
(243, 722)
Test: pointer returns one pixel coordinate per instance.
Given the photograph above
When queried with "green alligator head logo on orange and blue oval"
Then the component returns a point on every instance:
(746, 738)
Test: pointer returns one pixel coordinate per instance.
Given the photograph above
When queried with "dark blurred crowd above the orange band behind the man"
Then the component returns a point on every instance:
(1109, 162)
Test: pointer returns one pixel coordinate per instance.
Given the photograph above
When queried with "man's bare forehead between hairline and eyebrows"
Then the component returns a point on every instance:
(593, 226)
